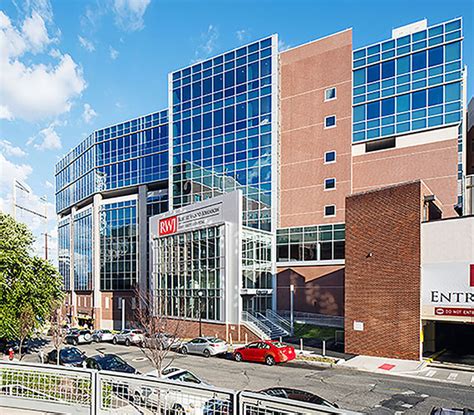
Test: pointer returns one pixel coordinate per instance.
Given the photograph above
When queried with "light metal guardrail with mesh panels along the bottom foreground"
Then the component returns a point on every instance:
(61, 389)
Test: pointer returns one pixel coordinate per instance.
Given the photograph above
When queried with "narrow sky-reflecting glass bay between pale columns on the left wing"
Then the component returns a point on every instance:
(83, 235)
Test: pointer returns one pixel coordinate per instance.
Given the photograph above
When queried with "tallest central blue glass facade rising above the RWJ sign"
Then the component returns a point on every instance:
(223, 115)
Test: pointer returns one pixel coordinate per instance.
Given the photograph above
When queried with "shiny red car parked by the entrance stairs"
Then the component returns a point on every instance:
(265, 351)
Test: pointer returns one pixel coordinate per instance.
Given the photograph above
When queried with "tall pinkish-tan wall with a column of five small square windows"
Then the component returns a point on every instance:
(306, 72)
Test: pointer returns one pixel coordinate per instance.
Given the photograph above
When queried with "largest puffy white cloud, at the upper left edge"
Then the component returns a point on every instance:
(54, 86)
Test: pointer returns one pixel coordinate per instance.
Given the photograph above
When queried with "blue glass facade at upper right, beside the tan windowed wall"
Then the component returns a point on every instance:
(409, 83)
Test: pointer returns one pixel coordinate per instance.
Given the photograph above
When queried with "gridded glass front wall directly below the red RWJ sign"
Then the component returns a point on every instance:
(189, 274)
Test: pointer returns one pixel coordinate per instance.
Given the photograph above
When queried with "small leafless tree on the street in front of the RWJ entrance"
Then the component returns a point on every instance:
(160, 333)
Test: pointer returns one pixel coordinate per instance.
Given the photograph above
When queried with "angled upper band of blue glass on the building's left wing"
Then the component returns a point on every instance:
(131, 153)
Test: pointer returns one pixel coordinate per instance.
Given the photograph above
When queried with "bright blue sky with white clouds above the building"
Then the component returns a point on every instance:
(70, 67)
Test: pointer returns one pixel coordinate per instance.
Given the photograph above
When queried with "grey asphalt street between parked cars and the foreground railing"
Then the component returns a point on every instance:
(351, 389)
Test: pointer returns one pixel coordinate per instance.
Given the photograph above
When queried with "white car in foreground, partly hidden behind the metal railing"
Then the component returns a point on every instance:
(171, 400)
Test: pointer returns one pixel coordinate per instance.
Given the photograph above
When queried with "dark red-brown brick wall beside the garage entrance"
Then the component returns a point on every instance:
(382, 277)
